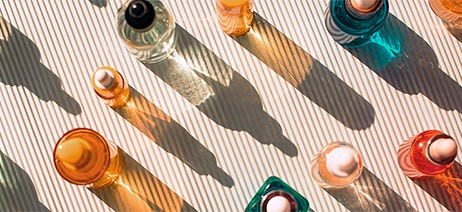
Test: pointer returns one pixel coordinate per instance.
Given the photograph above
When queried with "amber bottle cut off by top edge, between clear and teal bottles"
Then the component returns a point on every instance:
(235, 16)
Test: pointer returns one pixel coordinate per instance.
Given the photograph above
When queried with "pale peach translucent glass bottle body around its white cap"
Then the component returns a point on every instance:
(321, 173)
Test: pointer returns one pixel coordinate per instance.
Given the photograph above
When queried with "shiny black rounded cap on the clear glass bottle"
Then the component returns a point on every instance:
(140, 14)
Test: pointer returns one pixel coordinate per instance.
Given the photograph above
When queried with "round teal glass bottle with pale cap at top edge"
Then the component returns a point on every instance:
(352, 23)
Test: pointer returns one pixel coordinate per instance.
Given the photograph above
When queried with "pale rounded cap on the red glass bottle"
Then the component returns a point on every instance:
(443, 150)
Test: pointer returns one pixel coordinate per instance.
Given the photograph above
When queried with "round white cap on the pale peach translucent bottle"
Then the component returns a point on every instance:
(342, 161)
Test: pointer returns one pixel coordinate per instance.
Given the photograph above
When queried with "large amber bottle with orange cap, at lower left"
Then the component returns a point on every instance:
(83, 157)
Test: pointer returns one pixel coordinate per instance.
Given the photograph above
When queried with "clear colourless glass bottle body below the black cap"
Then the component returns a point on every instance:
(154, 43)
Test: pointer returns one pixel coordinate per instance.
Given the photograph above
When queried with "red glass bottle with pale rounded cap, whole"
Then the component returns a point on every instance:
(430, 153)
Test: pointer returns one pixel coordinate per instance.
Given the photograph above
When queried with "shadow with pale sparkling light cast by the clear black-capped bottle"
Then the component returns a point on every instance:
(219, 92)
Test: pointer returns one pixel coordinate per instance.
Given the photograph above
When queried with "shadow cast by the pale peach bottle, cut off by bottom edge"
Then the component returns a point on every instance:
(369, 193)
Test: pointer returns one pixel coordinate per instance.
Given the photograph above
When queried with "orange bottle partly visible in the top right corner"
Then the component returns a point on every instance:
(449, 11)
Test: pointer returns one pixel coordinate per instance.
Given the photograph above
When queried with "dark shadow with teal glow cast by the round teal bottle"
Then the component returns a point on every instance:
(406, 62)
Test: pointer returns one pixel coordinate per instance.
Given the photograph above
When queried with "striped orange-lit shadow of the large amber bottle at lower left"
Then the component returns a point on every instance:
(138, 190)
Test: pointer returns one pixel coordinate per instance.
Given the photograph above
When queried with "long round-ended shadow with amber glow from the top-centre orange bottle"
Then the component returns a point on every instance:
(307, 75)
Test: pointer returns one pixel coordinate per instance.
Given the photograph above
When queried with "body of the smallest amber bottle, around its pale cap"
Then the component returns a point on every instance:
(116, 96)
